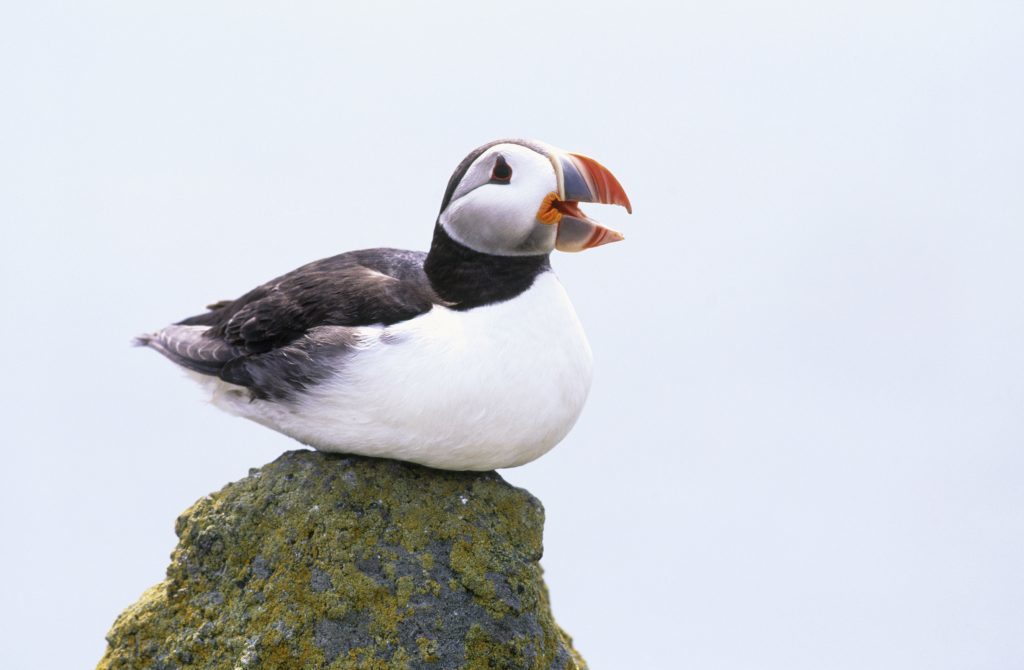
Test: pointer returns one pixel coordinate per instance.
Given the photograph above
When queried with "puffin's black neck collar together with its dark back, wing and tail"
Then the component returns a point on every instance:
(272, 341)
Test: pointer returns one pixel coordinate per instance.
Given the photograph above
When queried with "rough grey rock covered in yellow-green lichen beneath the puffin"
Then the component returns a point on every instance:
(318, 561)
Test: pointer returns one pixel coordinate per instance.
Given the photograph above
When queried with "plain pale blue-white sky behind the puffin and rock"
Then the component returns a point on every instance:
(804, 448)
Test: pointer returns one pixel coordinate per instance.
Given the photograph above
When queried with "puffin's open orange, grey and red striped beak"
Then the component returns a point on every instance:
(582, 180)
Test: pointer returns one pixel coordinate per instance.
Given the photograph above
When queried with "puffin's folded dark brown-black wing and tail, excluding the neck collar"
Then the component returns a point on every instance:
(275, 339)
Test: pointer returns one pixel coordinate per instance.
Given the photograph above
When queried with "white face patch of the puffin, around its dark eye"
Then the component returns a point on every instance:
(494, 218)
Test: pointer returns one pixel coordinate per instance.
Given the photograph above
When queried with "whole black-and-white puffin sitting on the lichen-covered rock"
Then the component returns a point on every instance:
(470, 357)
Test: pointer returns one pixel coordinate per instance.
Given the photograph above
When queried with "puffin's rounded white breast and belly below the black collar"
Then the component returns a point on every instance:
(495, 387)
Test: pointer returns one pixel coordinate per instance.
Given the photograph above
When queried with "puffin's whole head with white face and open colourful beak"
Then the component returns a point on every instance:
(522, 198)
